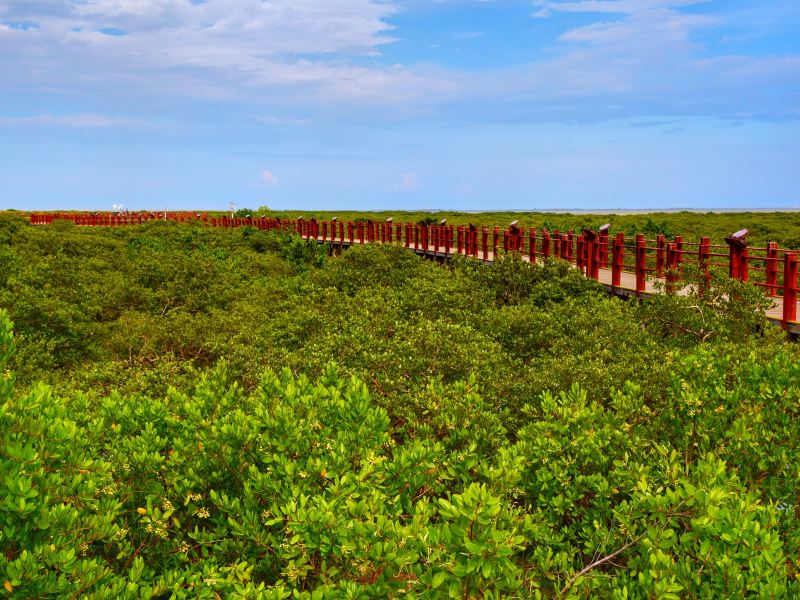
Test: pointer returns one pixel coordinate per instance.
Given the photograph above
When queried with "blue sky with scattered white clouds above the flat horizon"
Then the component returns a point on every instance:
(399, 104)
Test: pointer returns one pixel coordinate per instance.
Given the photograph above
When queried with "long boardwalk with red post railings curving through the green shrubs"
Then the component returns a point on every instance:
(626, 264)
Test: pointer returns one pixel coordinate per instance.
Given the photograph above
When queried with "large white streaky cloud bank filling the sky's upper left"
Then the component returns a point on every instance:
(300, 50)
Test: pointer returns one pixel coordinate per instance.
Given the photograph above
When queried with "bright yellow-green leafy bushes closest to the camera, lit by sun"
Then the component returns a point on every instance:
(300, 488)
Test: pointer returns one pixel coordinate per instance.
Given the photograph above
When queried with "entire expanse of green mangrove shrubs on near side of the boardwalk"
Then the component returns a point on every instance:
(231, 413)
